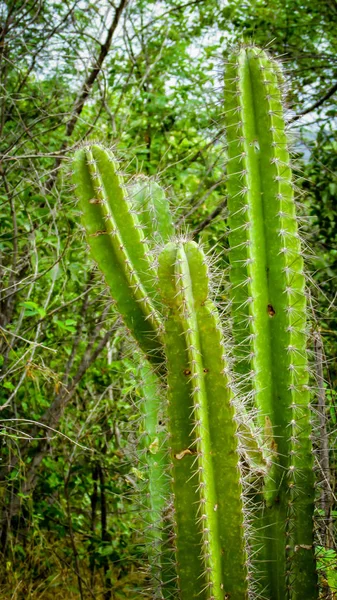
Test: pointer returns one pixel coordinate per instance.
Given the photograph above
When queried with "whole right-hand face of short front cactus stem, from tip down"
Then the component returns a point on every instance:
(223, 436)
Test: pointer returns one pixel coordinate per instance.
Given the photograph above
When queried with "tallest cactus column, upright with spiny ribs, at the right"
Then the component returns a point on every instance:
(269, 316)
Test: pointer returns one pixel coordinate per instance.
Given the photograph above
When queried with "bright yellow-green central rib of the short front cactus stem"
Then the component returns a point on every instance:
(191, 292)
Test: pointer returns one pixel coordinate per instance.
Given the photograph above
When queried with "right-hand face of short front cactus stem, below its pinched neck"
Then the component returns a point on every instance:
(224, 457)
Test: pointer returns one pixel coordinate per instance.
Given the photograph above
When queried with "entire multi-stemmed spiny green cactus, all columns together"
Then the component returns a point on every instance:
(211, 536)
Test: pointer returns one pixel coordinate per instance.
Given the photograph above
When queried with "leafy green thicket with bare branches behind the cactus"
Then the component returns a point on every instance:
(145, 76)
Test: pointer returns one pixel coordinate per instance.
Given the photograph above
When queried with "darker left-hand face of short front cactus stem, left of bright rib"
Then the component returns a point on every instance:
(186, 531)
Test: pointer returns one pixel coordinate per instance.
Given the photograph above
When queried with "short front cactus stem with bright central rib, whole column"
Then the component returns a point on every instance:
(206, 485)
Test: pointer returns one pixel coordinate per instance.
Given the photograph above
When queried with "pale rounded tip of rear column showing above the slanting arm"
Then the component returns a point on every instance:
(152, 206)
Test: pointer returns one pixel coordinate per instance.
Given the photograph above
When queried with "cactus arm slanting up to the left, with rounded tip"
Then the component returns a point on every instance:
(117, 244)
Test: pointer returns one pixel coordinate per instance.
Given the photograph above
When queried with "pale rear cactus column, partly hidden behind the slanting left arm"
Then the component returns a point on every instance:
(148, 200)
